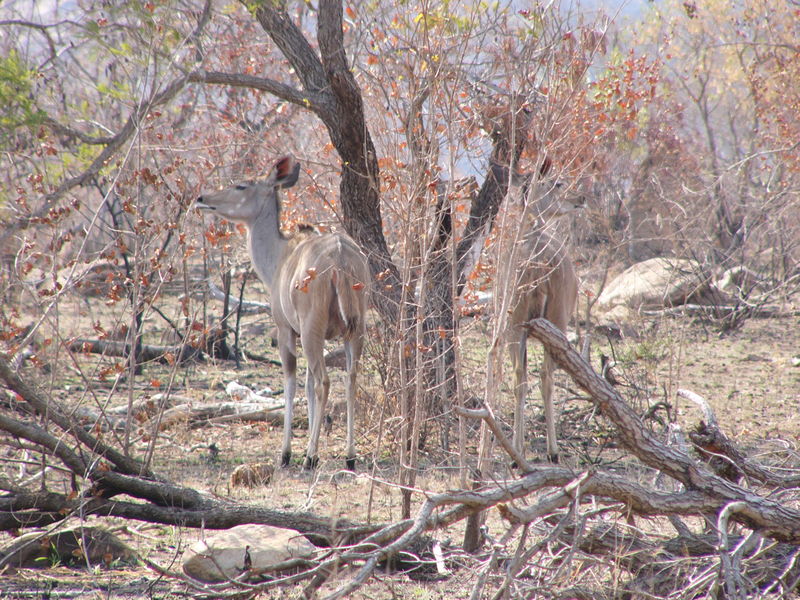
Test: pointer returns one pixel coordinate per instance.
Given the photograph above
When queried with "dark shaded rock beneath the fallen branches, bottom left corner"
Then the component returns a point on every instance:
(37, 550)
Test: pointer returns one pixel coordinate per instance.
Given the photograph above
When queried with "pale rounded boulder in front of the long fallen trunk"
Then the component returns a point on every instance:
(223, 555)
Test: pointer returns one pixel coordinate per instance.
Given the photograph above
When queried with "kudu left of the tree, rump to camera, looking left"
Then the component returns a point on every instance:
(318, 290)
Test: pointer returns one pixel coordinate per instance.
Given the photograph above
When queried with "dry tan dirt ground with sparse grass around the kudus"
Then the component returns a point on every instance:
(749, 377)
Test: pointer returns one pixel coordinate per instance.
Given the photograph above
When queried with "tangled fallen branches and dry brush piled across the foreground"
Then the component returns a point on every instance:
(709, 520)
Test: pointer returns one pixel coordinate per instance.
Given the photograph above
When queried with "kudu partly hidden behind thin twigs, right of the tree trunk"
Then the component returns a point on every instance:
(546, 286)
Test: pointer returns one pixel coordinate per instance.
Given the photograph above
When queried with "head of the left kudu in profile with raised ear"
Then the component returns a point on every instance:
(245, 202)
